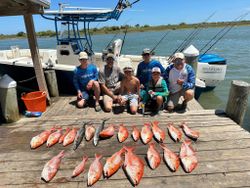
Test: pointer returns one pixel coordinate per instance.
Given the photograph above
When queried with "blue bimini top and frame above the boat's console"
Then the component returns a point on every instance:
(72, 16)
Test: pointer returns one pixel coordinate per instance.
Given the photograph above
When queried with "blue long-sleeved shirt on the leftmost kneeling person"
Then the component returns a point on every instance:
(83, 76)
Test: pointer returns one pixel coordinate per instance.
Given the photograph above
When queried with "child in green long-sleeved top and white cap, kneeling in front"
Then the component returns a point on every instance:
(156, 90)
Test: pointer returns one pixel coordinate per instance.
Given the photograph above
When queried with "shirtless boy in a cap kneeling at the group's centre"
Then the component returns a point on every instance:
(130, 89)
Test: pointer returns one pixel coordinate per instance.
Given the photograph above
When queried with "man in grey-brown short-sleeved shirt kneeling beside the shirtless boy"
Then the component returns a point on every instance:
(109, 79)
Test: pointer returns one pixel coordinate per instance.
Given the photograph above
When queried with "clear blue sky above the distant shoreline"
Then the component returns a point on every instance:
(151, 12)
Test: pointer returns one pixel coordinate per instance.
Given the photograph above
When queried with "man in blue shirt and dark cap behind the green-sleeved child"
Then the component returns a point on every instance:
(144, 69)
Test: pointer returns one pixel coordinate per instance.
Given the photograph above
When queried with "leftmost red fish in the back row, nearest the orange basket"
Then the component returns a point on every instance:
(40, 139)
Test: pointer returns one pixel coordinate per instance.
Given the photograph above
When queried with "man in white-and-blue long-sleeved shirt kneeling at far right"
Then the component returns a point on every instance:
(180, 78)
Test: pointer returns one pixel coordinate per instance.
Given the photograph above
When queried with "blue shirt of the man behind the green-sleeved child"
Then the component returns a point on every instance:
(144, 71)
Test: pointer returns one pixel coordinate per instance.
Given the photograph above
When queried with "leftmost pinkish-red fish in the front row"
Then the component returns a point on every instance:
(51, 167)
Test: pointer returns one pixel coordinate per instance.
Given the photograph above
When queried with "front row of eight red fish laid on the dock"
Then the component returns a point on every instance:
(132, 164)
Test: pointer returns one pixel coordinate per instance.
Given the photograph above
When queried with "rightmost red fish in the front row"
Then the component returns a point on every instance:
(188, 157)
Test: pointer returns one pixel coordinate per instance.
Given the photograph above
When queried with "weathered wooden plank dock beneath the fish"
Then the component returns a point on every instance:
(223, 150)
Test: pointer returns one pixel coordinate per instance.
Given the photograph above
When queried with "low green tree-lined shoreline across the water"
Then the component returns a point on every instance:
(133, 28)
